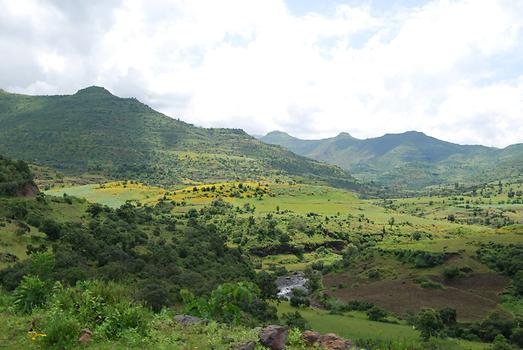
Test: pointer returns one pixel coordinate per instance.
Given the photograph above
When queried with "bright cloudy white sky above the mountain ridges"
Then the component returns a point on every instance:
(451, 69)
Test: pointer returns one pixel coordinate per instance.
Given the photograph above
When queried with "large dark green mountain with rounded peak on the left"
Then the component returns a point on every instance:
(95, 131)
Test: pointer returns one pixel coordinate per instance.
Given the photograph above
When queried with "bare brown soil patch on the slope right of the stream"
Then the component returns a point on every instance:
(473, 297)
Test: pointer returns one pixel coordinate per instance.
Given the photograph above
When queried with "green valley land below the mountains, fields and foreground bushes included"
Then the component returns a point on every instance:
(122, 258)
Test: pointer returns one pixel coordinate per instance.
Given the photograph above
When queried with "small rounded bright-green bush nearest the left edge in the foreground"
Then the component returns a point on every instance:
(30, 293)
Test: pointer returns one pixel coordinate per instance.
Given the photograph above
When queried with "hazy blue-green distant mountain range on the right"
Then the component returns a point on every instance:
(411, 159)
